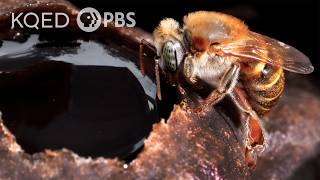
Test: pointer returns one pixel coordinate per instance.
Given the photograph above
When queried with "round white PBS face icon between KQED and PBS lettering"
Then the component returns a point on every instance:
(89, 19)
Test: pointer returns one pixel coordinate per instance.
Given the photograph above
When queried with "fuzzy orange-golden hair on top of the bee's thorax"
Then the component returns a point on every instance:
(214, 26)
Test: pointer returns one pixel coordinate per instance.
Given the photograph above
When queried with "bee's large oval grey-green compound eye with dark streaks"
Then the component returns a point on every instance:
(172, 54)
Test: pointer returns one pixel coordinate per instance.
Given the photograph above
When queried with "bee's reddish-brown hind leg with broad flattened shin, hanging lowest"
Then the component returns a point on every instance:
(255, 139)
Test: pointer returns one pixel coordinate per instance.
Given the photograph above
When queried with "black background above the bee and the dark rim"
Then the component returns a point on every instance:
(295, 22)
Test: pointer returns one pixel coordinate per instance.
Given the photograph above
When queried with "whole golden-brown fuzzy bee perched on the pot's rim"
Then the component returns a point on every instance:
(217, 52)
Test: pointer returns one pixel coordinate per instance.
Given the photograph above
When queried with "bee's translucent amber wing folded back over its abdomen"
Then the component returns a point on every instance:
(262, 48)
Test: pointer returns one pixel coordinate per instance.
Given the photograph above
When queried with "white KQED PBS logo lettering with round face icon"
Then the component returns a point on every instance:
(88, 20)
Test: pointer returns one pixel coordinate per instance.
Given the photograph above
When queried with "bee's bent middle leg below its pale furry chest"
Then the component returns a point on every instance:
(227, 83)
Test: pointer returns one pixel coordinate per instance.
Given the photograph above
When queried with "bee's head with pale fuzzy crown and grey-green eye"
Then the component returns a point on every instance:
(168, 38)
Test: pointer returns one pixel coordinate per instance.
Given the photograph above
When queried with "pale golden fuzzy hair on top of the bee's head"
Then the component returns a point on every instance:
(168, 29)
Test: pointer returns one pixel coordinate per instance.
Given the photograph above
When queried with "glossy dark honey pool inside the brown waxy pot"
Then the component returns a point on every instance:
(79, 95)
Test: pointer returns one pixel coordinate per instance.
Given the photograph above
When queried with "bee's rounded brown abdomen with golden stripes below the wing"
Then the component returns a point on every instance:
(264, 85)
